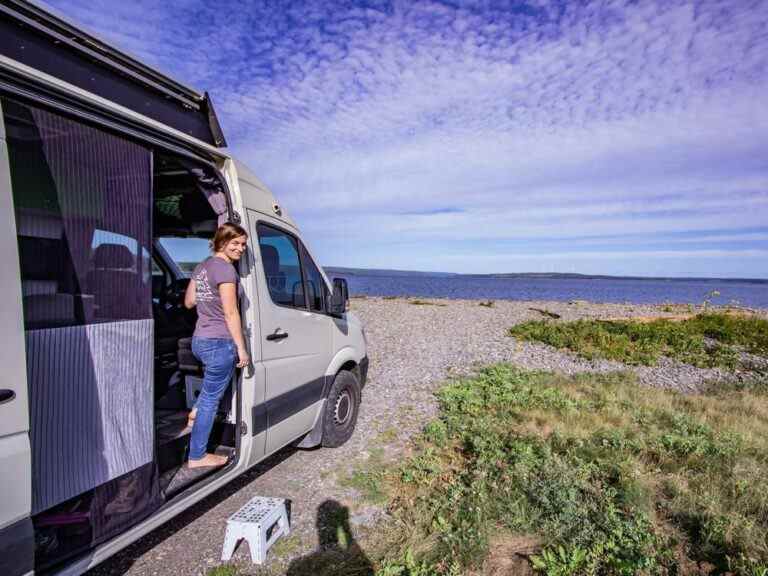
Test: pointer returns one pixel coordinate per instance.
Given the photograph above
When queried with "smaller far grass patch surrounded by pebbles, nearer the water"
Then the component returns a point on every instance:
(706, 340)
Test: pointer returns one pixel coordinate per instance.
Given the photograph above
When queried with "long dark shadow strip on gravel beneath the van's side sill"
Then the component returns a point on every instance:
(124, 560)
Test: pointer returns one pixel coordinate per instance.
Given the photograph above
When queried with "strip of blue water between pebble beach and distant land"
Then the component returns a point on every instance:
(743, 293)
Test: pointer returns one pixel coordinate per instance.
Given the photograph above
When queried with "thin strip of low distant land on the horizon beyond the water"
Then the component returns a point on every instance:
(374, 272)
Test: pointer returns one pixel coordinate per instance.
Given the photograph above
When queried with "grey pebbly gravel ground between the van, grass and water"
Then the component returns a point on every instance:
(412, 349)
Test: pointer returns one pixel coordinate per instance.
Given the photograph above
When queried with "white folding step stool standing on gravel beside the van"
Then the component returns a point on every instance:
(252, 523)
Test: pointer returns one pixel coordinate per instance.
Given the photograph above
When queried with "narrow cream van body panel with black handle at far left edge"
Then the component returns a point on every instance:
(16, 534)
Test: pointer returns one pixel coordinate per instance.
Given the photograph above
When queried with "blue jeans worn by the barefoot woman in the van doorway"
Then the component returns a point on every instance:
(218, 356)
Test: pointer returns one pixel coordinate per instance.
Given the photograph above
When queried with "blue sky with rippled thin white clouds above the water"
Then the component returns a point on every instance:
(597, 137)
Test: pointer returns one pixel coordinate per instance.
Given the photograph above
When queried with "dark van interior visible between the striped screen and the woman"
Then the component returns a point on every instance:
(183, 224)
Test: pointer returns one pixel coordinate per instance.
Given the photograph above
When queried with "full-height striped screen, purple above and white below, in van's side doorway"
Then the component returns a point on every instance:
(82, 202)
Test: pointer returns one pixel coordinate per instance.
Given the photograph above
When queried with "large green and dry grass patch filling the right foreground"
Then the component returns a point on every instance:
(610, 477)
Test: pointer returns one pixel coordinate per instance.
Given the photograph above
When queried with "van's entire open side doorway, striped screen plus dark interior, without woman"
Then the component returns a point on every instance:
(108, 232)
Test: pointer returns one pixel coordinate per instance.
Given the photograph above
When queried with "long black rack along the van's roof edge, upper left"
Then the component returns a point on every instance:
(41, 40)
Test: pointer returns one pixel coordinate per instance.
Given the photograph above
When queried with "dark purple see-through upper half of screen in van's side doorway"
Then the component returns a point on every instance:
(82, 198)
